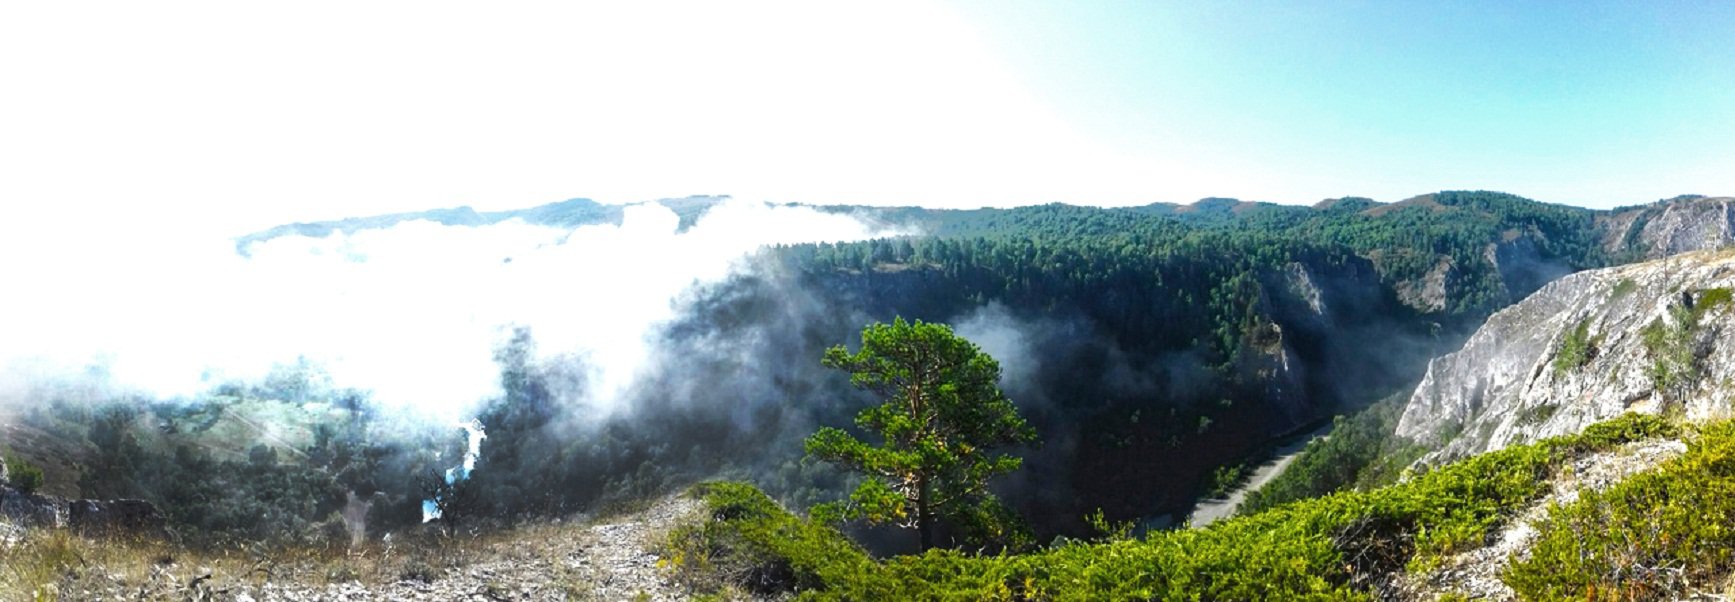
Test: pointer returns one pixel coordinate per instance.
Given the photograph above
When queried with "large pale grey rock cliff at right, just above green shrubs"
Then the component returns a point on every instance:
(1587, 348)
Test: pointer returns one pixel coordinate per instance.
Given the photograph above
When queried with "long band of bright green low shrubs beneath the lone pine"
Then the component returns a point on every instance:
(1325, 549)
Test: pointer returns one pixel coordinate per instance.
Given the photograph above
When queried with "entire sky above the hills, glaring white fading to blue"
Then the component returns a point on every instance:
(240, 115)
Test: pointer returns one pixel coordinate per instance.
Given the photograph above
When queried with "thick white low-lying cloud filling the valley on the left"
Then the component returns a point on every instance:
(412, 313)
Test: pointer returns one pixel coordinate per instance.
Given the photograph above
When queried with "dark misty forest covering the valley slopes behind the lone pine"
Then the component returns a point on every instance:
(1149, 348)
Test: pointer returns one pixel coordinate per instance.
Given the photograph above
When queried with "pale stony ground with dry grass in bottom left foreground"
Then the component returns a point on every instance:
(603, 559)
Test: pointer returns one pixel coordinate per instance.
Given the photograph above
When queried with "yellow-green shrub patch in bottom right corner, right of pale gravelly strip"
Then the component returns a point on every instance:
(1644, 539)
